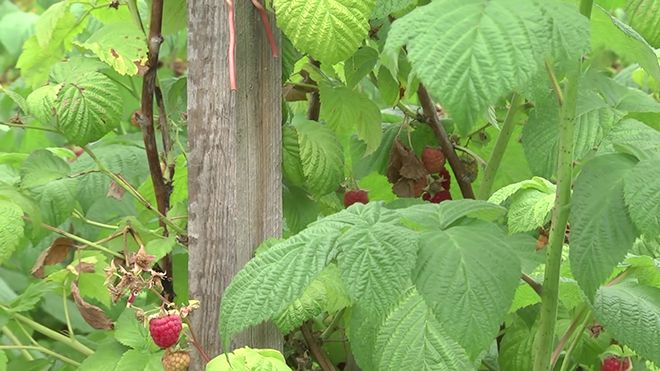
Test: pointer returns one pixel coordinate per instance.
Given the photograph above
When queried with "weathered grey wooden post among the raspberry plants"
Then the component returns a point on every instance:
(234, 166)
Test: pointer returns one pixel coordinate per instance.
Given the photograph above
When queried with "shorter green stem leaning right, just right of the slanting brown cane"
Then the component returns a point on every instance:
(500, 146)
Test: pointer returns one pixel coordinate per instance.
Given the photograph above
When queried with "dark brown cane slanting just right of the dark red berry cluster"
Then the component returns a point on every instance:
(445, 143)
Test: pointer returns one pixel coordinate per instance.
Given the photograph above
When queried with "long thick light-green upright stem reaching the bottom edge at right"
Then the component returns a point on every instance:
(546, 332)
